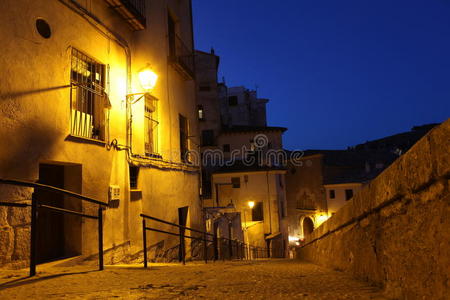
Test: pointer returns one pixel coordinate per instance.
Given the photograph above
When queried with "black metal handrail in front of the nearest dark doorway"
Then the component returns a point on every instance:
(34, 215)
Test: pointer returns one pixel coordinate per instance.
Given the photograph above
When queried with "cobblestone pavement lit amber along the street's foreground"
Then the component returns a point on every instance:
(268, 279)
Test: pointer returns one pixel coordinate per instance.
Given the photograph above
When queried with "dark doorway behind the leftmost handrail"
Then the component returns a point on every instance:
(58, 234)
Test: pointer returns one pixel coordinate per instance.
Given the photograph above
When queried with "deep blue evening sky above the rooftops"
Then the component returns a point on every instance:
(337, 72)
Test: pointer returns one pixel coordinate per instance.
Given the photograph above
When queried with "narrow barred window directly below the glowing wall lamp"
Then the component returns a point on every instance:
(151, 126)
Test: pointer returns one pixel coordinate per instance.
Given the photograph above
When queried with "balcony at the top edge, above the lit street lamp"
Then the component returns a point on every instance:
(133, 11)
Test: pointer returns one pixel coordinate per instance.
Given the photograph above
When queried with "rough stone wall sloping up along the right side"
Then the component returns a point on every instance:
(395, 232)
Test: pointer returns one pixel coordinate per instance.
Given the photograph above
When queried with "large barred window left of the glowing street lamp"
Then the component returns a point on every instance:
(88, 98)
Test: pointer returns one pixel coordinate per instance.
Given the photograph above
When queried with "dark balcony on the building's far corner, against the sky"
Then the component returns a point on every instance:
(181, 57)
